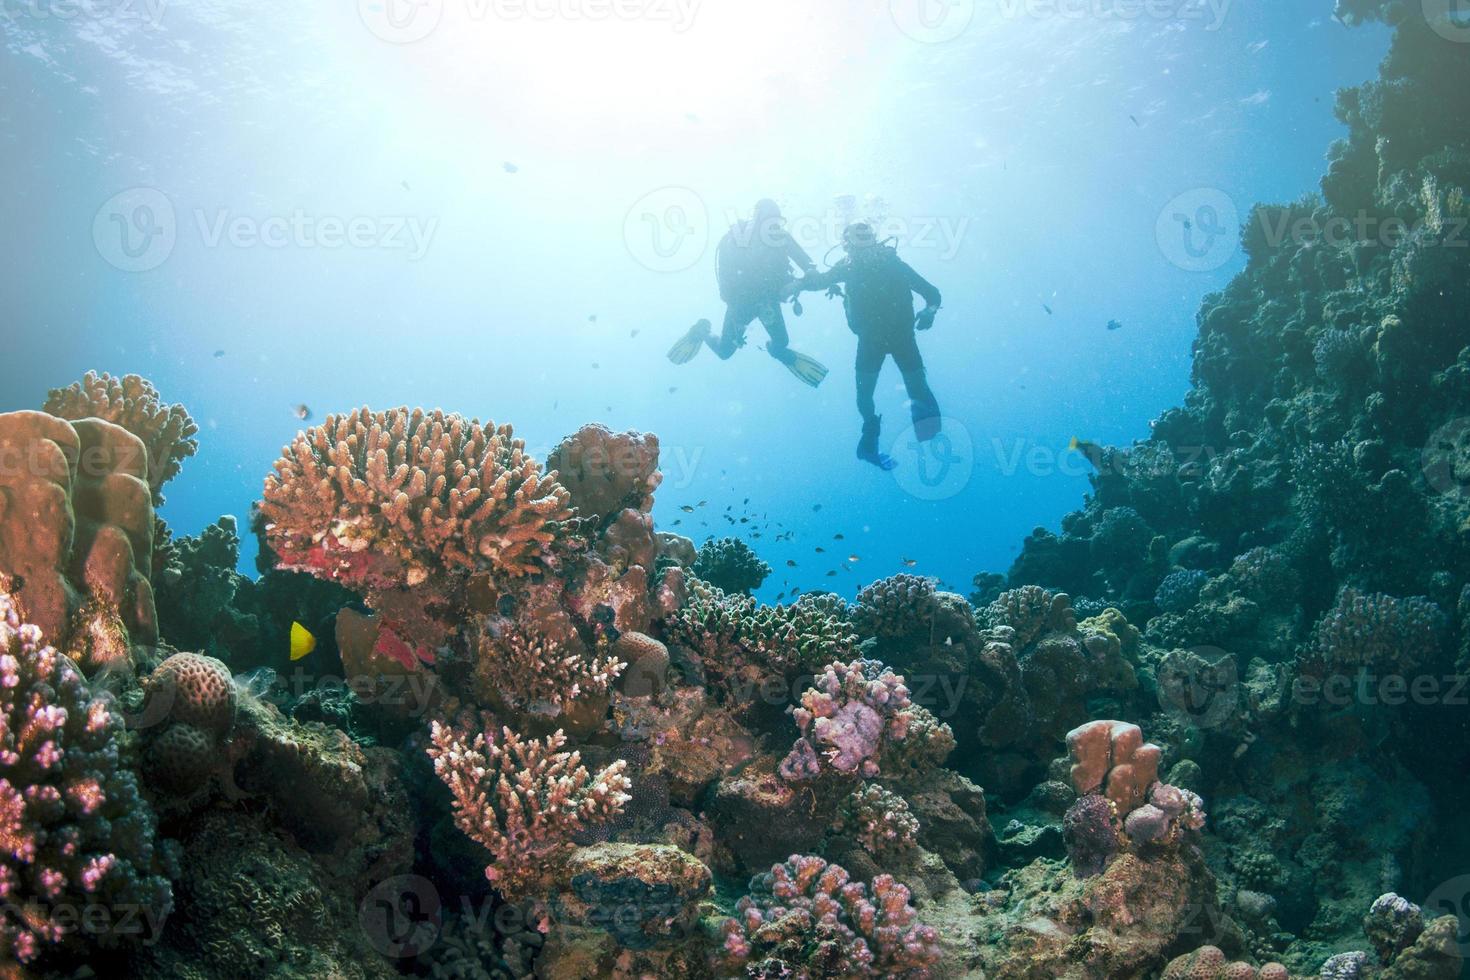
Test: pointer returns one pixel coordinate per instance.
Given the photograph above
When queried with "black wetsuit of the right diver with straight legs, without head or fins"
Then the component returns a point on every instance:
(878, 298)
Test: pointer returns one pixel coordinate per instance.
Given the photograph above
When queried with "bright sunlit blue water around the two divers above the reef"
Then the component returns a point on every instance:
(1034, 161)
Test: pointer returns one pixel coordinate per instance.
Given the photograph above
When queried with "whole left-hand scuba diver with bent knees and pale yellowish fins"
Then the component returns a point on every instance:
(753, 268)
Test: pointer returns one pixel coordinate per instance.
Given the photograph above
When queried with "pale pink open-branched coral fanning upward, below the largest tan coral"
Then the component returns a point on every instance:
(523, 799)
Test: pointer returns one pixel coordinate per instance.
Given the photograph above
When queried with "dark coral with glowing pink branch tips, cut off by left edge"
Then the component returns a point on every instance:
(77, 841)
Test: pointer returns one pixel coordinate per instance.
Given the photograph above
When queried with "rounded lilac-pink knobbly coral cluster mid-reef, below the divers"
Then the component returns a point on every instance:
(847, 719)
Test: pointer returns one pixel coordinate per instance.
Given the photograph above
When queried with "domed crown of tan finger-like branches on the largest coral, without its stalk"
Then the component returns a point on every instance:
(427, 489)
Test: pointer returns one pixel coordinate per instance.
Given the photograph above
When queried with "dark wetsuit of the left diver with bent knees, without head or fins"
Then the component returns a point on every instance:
(755, 268)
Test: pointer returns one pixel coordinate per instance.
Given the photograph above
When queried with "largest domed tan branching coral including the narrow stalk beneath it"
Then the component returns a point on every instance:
(405, 508)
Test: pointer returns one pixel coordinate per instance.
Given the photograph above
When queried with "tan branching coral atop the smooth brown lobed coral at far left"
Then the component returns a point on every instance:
(133, 403)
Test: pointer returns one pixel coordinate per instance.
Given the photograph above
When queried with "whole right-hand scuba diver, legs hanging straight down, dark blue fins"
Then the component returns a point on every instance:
(878, 299)
